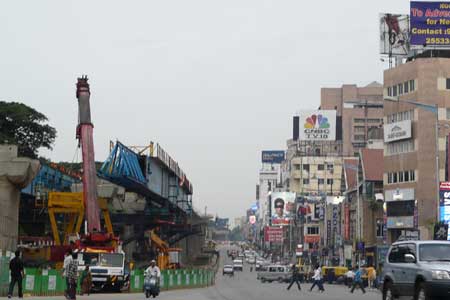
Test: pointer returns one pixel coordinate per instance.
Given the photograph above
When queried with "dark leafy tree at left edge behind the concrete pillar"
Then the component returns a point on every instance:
(24, 126)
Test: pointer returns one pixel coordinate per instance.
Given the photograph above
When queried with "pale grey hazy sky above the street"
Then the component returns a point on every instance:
(214, 82)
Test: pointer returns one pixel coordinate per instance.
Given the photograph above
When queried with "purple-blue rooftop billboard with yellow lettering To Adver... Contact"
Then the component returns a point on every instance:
(430, 24)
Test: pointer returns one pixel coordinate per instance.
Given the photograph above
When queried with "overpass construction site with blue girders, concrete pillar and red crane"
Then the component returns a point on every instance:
(118, 215)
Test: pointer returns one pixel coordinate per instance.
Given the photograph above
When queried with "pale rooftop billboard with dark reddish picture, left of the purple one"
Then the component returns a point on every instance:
(394, 34)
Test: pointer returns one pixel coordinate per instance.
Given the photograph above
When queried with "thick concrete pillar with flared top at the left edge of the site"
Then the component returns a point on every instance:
(15, 174)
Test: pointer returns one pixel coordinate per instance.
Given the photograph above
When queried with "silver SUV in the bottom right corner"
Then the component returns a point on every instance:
(417, 268)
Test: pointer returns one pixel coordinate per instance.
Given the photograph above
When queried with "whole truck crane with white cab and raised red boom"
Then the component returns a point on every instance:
(99, 249)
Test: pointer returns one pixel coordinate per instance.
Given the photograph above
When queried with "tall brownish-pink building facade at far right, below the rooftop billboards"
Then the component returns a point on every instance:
(410, 174)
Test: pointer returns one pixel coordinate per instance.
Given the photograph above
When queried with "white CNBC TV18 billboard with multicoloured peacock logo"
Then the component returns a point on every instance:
(317, 125)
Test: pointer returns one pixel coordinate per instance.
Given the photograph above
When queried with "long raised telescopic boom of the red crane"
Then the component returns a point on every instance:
(85, 137)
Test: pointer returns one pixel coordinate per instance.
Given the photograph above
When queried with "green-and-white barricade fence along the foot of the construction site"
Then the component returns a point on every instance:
(50, 282)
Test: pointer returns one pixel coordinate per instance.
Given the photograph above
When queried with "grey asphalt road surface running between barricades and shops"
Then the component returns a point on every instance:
(245, 286)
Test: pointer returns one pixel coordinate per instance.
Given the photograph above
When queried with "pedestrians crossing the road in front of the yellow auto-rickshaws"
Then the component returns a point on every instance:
(354, 279)
